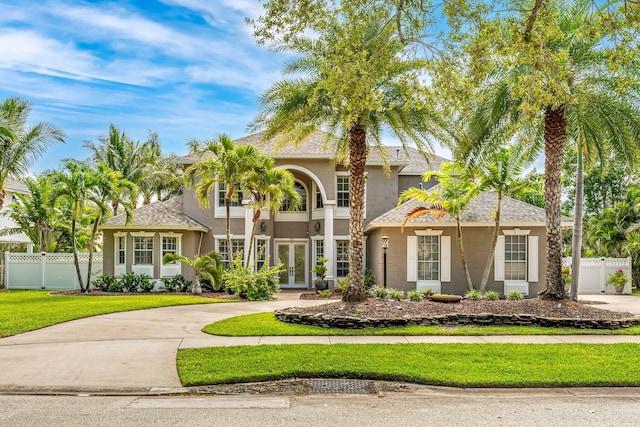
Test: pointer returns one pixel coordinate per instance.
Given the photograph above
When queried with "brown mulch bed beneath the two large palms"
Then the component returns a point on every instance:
(375, 308)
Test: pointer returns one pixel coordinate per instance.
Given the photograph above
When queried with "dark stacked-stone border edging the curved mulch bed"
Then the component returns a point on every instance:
(482, 319)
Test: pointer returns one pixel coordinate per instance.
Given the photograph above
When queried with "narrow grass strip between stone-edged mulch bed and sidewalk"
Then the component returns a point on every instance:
(266, 324)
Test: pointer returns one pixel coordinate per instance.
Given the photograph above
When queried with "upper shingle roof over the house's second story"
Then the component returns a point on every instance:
(321, 145)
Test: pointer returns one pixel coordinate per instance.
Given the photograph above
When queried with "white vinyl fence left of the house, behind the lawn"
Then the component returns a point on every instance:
(47, 270)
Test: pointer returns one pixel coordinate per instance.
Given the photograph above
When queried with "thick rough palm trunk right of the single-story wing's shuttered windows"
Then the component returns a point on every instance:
(555, 131)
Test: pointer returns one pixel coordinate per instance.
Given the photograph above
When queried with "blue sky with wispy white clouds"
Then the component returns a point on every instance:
(182, 68)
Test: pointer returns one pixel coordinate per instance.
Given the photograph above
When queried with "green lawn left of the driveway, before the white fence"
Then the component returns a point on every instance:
(22, 311)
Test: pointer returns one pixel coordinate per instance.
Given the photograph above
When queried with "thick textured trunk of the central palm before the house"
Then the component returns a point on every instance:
(357, 159)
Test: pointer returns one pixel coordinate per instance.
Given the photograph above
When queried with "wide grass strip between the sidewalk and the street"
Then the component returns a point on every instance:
(460, 365)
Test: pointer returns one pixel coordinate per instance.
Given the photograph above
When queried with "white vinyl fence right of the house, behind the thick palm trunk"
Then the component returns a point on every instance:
(594, 273)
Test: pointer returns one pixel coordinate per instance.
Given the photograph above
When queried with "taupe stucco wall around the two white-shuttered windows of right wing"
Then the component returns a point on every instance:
(477, 242)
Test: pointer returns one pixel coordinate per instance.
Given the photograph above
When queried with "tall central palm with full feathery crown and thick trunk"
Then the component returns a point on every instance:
(356, 81)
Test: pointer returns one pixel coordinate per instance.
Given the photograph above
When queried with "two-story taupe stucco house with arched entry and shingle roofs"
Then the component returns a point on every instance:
(424, 256)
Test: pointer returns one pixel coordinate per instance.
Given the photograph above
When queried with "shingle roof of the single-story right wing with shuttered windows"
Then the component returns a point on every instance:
(480, 212)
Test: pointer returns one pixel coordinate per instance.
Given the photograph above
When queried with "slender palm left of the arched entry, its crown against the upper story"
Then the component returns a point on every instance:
(228, 165)
